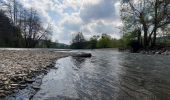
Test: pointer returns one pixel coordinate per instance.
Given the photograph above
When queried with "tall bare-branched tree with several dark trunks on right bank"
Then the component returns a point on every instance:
(147, 16)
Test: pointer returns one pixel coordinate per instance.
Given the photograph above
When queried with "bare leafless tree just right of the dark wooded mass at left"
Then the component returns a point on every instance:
(35, 29)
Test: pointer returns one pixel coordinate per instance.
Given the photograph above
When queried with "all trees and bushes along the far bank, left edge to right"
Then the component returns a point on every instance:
(145, 27)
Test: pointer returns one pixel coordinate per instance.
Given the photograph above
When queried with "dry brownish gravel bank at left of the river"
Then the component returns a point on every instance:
(18, 67)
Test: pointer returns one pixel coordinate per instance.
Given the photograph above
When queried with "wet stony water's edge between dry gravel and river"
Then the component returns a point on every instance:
(31, 87)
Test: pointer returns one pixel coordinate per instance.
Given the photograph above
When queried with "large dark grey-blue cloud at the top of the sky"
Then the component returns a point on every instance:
(102, 10)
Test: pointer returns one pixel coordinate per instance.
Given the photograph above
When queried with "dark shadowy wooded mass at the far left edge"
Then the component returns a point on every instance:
(9, 34)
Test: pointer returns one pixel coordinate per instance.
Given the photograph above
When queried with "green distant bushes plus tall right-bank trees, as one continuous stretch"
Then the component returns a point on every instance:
(146, 27)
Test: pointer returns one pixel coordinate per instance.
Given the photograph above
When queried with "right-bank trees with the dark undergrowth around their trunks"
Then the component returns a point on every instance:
(145, 22)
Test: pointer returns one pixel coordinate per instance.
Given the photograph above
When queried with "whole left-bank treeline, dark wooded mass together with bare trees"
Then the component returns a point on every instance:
(21, 27)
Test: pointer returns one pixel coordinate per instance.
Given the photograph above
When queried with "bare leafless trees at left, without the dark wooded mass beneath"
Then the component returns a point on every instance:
(28, 23)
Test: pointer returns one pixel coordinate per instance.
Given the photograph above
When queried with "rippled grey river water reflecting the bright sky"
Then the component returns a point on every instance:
(108, 75)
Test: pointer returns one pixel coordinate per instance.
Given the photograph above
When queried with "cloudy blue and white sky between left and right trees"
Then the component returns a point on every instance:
(68, 17)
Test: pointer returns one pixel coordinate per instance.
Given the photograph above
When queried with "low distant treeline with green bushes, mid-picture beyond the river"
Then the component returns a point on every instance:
(95, 42)
